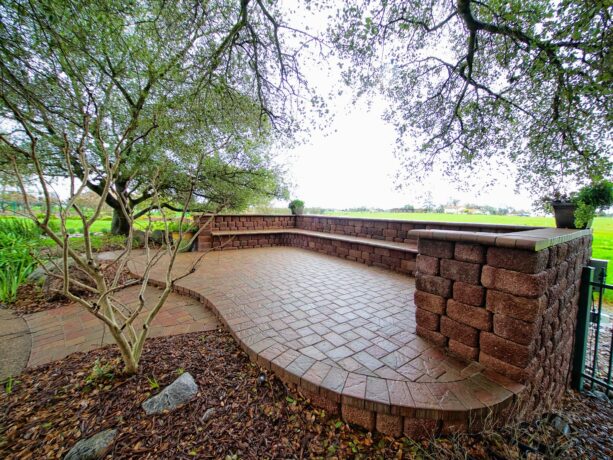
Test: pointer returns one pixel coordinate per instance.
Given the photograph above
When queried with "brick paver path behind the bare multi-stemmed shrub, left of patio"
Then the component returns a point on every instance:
(62, 331)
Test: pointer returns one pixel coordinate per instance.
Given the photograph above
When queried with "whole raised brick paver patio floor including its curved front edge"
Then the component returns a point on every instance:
(342, 331)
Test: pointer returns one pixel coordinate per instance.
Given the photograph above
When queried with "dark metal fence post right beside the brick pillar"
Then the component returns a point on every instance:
(582, 330)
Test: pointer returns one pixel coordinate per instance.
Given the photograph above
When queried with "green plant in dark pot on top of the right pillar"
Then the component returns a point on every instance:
(577, 210)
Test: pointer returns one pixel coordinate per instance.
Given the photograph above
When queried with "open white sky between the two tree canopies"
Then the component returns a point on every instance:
(352, 164)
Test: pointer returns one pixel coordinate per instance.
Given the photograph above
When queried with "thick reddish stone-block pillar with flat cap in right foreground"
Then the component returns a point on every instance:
(507, 301)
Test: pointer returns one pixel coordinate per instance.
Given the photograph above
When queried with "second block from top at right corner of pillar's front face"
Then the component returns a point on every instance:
(516, 283)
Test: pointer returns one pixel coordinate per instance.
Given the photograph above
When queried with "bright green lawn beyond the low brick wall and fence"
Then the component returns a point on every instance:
(602, 247)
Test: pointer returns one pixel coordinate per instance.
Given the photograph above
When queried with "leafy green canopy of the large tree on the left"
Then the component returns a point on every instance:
(152, 88)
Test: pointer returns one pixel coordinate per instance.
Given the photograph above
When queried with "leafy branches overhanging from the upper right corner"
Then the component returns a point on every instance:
(472, 82)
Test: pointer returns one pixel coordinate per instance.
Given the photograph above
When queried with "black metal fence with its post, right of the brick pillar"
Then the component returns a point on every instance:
(593, 359)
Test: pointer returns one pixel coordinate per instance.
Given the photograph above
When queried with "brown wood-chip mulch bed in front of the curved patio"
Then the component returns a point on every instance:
(53, 406)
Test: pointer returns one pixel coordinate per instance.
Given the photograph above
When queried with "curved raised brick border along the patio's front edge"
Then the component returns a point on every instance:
(393, 407)
